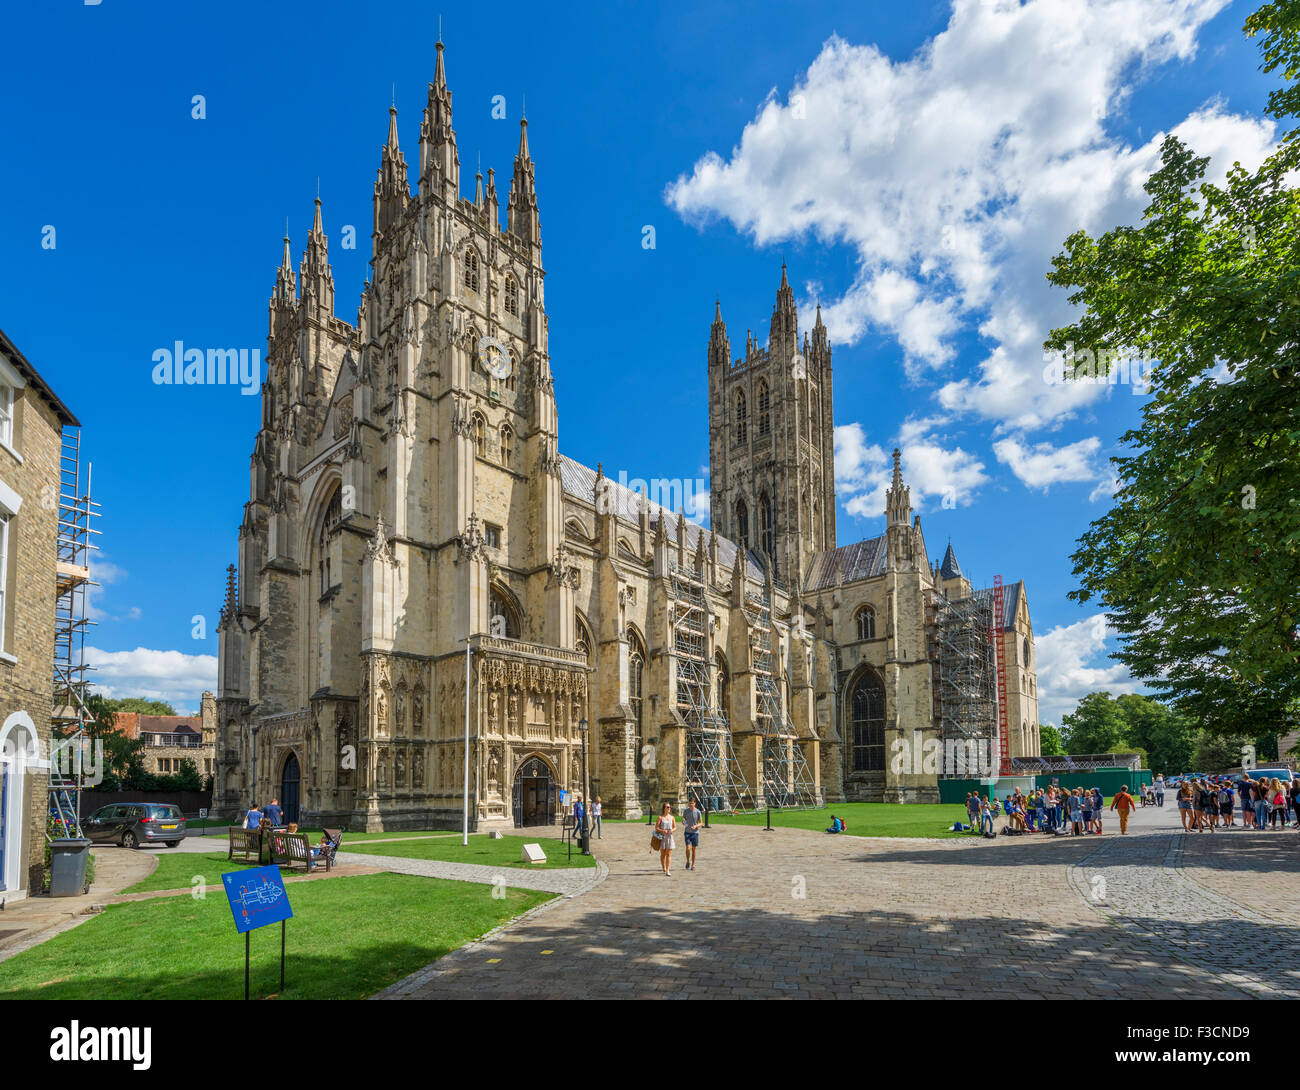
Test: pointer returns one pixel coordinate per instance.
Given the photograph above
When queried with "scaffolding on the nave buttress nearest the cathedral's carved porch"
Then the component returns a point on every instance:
(713, 773)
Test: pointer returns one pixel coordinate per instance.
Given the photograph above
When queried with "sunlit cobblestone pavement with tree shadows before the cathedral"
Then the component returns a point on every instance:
(804, 915)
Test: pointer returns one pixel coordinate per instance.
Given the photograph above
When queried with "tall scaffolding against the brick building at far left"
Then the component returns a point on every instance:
(70, 713)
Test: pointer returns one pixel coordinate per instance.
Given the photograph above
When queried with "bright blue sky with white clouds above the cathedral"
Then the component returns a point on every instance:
(915, 168)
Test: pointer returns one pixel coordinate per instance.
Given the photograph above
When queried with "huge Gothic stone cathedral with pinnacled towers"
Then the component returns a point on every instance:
(435, 608)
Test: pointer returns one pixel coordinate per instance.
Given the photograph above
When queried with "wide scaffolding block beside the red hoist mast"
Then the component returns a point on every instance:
(968, 685)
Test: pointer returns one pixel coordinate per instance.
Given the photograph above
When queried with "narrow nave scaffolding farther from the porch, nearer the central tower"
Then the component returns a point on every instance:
(787, 781)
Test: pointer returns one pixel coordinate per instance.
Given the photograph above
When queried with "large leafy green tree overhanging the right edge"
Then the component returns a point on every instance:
(1198, 563)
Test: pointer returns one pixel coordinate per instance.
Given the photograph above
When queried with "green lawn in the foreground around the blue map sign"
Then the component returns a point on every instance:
(349, 938)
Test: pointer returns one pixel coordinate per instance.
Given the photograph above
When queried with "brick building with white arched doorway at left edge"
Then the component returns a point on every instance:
(29, 507)
